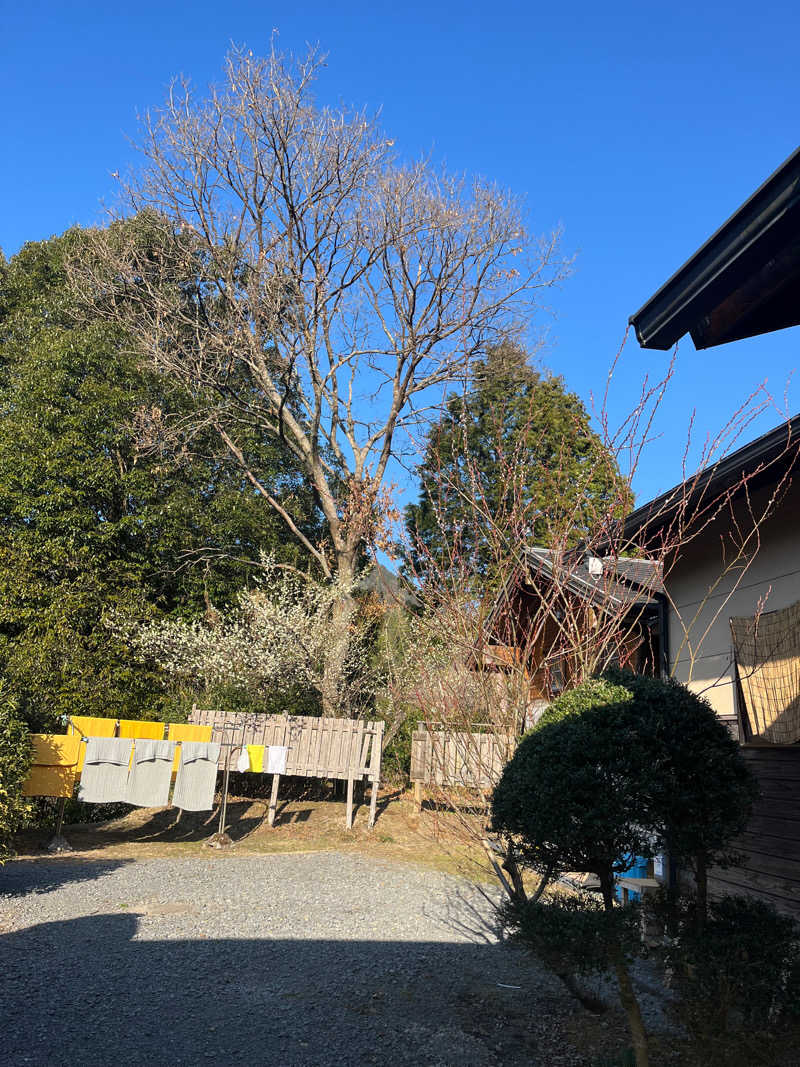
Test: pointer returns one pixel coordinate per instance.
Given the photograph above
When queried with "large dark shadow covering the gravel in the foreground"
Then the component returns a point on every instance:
(86, 992)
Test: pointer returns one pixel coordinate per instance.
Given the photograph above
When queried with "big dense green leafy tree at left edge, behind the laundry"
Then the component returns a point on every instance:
(92, 522)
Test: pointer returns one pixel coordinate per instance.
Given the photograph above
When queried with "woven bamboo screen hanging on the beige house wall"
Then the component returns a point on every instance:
(767, 650)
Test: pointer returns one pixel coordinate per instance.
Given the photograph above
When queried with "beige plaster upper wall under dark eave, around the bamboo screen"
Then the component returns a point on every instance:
(705, 598)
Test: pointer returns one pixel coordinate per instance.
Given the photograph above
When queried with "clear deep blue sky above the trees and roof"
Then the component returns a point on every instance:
(636, 128)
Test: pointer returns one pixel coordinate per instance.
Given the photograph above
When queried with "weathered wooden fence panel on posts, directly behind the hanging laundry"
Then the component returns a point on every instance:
(345, 750)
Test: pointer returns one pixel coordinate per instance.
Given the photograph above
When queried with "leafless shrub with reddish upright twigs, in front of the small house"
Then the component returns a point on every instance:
(563, 613)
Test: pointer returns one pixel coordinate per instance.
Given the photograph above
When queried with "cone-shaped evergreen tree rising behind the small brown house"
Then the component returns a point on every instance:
(521, 448)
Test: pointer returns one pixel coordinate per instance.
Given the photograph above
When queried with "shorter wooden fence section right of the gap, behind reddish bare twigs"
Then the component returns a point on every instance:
(473, 761)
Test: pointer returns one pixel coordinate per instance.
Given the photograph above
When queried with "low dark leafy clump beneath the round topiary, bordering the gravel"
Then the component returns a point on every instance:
(571, 932)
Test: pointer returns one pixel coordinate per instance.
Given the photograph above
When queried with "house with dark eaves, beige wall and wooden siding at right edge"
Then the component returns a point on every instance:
(732, 634)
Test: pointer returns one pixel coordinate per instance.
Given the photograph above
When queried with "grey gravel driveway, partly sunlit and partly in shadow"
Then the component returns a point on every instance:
(319, 959)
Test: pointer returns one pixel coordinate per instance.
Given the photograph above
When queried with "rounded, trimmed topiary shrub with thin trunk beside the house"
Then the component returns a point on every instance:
(621, 766)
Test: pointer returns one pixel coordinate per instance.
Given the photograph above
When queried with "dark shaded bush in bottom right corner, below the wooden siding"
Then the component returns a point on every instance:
(740, 970)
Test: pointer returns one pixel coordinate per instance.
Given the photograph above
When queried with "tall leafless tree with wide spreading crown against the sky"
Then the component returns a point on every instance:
(307, 284)
